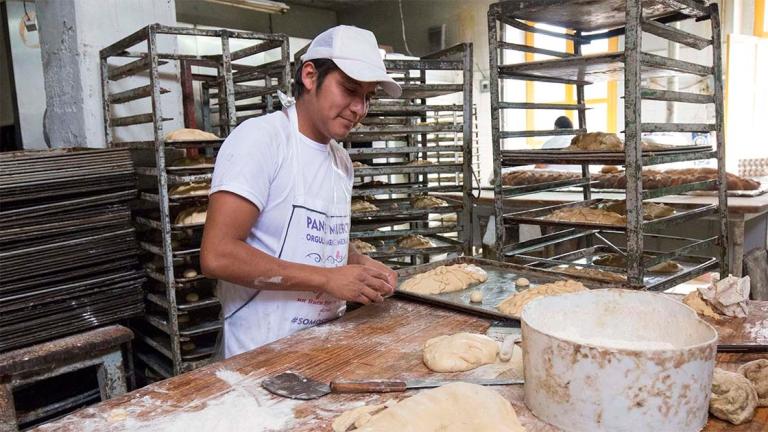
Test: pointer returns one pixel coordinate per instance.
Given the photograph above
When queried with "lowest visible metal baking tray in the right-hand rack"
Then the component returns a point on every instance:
(692, 266)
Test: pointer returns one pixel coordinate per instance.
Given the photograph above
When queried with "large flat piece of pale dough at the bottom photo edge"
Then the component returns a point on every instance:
(455, 407)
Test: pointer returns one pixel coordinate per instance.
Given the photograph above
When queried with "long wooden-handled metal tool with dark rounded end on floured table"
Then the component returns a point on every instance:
(295, 386)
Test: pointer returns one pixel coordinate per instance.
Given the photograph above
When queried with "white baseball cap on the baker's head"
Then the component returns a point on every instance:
(356, 52)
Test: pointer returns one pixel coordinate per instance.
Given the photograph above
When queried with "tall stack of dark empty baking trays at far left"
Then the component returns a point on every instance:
(68, 253)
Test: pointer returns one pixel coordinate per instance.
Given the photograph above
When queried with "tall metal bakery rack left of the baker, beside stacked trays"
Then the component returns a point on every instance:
(183, 321)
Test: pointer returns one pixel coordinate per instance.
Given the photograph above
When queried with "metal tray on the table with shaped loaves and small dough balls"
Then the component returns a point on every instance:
(499, 286)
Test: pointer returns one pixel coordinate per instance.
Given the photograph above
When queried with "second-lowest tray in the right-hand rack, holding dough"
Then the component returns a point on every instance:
(683, 213)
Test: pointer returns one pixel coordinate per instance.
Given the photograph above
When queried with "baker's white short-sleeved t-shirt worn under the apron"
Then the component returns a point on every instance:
(255, 162)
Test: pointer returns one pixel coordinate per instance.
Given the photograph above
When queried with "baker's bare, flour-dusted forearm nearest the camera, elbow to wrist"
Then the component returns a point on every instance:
(237, 262)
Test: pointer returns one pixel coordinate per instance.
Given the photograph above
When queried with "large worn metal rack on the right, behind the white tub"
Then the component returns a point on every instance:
(586, 21)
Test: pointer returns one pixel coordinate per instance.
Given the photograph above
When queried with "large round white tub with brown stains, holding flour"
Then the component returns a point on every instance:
(617, 360)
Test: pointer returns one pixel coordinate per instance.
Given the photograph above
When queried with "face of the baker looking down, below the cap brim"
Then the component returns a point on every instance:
(340, 103)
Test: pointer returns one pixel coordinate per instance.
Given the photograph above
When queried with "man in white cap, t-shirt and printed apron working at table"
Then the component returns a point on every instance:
(277, 230)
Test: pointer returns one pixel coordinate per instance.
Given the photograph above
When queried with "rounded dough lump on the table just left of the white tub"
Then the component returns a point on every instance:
(459, 352)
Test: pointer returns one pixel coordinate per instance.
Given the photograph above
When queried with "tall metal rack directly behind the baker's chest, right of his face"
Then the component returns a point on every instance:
(419, 144)
